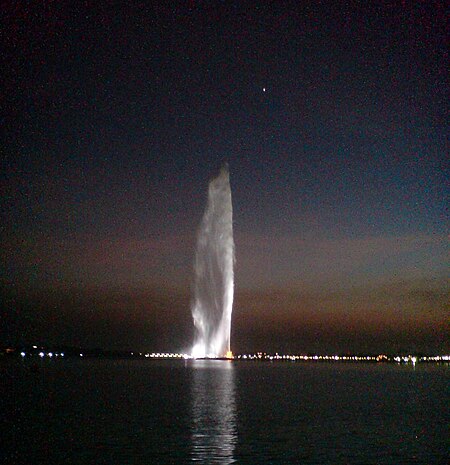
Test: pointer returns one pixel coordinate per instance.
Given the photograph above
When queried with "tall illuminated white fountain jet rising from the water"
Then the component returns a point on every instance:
(214, 277)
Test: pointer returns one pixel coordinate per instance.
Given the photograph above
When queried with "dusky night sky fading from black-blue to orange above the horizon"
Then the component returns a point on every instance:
(117, 114)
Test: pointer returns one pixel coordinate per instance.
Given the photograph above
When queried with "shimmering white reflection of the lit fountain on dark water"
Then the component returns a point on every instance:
(214, 431)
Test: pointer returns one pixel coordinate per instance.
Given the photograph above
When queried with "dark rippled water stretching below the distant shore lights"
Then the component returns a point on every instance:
(175, 412)
